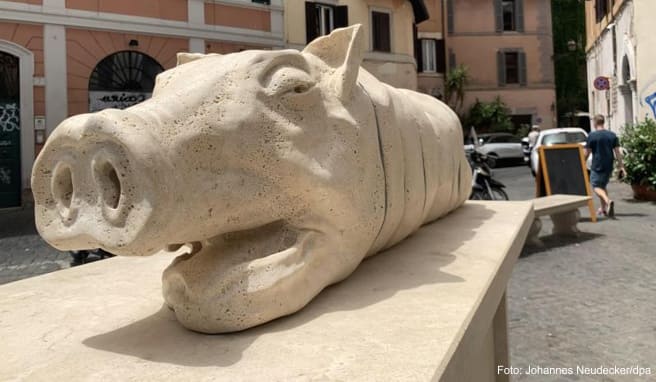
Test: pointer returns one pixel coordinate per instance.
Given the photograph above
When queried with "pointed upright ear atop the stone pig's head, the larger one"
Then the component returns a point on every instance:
(342, 50)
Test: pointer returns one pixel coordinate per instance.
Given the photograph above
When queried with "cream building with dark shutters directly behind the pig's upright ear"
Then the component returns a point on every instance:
(389, 25)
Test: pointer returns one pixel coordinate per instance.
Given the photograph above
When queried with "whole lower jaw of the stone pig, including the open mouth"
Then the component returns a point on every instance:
(239, 280)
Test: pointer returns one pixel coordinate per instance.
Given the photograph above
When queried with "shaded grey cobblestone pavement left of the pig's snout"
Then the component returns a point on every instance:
(22, 251)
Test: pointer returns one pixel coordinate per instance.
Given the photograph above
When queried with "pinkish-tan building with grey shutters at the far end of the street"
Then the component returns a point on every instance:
(507, 46)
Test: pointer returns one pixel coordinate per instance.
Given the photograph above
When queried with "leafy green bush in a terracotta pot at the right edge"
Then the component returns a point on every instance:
(639, 141)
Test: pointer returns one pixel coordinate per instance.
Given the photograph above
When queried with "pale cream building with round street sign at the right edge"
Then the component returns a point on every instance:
(620, 59)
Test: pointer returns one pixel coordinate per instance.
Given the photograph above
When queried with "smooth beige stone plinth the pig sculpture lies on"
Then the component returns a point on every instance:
(421, 310)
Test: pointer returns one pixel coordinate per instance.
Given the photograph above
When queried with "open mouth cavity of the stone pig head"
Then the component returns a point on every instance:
(226, 268)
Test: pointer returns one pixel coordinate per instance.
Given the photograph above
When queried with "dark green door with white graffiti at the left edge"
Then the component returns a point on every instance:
(10, 166)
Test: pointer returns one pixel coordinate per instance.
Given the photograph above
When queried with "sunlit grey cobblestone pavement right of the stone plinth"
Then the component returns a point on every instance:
(589, 301)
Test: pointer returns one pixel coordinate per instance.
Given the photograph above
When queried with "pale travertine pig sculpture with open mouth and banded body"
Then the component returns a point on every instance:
(280, 171)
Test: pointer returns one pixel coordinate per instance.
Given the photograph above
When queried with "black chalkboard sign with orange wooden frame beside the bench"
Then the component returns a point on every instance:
(562, 170)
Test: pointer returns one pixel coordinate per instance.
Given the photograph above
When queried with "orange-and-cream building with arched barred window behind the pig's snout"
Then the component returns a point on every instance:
(64, 57)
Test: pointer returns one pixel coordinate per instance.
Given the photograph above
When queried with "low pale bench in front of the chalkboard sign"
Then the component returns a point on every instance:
(564, 212)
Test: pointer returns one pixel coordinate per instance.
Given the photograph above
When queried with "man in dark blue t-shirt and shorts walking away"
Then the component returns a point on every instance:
(602, 144)
